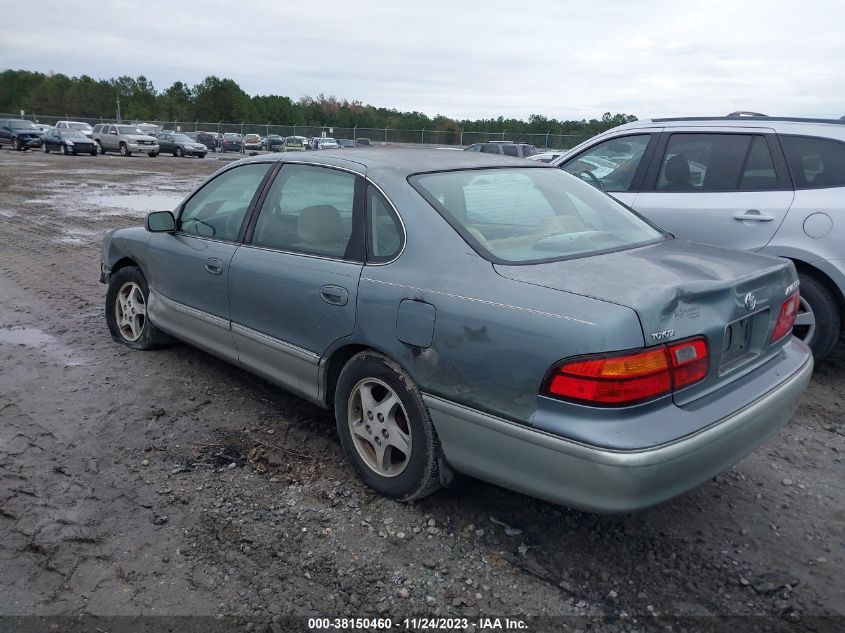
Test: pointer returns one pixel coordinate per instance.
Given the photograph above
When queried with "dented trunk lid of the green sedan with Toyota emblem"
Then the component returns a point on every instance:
(681, 289)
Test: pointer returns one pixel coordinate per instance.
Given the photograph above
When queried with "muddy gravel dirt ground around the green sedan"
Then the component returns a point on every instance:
(171, 483)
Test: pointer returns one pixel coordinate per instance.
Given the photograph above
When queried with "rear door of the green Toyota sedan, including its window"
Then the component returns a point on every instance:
(293, 284)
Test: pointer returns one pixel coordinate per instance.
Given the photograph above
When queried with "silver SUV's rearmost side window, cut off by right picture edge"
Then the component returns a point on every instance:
(815, 162)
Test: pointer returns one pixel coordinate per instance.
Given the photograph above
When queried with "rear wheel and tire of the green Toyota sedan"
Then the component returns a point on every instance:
(385, 428)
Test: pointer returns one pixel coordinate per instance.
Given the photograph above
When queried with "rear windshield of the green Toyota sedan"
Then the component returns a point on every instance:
(531, 215)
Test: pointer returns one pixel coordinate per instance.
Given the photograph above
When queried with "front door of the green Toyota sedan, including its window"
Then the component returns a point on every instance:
(188, 271)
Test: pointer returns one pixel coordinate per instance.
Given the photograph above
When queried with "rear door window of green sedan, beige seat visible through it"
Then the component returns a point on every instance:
(310, 210)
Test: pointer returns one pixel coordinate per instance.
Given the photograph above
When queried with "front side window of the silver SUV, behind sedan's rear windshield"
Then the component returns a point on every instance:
(610, 165)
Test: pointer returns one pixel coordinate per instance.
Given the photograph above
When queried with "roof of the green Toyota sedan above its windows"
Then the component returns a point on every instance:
(403, 160)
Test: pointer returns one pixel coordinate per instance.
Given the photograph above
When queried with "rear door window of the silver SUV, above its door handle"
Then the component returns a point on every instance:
(717, 162)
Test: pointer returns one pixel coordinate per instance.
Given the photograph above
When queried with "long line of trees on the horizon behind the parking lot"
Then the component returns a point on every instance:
(215, 99)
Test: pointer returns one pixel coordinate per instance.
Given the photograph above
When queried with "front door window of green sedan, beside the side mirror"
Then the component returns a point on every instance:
(217, 210)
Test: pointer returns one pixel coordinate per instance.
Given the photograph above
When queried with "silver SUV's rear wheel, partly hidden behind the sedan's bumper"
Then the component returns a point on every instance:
(818, 323)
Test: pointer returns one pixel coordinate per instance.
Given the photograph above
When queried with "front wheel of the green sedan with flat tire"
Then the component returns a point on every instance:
(126, 311)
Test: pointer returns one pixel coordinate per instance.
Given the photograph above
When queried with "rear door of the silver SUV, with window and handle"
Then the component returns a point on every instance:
(728, 187)
